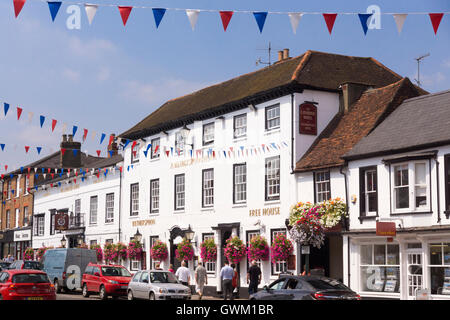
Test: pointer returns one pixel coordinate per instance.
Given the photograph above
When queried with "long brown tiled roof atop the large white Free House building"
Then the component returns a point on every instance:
(313, 69)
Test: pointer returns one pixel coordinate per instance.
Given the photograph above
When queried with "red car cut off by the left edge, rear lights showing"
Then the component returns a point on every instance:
(26, 285)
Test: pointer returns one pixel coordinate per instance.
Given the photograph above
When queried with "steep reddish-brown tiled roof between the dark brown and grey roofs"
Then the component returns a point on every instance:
(346, 129)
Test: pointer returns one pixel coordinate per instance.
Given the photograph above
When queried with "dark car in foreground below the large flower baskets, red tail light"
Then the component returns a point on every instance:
(289, 287)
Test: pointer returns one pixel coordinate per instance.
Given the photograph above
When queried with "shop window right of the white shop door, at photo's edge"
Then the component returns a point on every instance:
(439, 267)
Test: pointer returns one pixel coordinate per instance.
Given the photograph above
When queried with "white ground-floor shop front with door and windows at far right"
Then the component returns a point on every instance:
(401, 267)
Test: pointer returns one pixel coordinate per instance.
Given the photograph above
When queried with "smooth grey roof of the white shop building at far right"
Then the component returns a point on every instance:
(418, 123)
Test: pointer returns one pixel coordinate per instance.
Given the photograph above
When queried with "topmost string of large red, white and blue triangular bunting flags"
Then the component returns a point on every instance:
(225, 16)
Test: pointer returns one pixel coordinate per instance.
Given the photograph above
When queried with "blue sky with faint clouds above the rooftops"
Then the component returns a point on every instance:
(107, 77)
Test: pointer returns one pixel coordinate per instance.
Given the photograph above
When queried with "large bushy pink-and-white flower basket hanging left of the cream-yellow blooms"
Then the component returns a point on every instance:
(306, 224)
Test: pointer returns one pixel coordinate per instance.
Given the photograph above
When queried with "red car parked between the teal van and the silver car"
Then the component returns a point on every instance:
(106, 280)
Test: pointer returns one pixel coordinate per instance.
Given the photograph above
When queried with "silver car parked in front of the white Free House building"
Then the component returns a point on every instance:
(157, 285)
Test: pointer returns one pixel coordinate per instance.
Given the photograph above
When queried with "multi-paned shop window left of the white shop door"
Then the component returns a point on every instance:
(380, 268)
